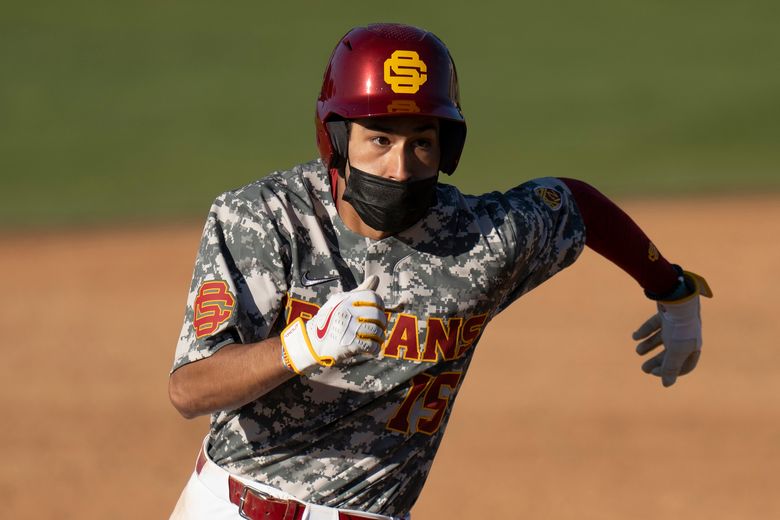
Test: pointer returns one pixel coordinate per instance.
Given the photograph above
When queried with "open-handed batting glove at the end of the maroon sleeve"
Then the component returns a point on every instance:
(678, 327)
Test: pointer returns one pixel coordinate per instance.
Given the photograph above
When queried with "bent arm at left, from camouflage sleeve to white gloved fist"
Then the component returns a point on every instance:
(230, 351)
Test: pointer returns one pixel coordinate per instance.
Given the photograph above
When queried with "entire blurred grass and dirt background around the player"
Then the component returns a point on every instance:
(120, 122)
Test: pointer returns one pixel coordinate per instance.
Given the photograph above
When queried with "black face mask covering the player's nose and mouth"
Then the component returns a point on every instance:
(387, 205)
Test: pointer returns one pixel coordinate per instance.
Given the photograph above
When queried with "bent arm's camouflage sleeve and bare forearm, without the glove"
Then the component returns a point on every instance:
(229, 351)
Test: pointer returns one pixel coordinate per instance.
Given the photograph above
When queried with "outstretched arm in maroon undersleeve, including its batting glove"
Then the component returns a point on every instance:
(677, 326)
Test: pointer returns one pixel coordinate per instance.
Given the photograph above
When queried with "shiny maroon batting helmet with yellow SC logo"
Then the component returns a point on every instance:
(389, 70)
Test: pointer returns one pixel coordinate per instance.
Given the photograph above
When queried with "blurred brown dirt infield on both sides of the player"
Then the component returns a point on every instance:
(555, 419)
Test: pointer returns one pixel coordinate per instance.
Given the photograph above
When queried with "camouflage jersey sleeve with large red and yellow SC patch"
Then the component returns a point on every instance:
(239, 281)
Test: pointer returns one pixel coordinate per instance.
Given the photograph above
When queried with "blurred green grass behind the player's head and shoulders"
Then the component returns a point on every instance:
(129, 111)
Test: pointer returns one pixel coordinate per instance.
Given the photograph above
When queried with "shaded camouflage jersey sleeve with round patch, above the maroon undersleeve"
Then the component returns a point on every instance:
(549, 234)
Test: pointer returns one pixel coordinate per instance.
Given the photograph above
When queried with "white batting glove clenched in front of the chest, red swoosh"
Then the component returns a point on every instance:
(349, 324)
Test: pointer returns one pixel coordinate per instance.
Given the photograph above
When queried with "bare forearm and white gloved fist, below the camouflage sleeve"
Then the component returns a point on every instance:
(349, 324)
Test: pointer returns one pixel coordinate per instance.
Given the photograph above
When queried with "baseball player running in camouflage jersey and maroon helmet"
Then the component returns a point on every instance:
(335, 307)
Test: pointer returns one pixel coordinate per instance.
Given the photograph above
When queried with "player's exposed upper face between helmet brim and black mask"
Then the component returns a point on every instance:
(397, 148)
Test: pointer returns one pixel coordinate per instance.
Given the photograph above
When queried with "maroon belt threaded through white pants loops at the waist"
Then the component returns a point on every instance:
(256, 505)
